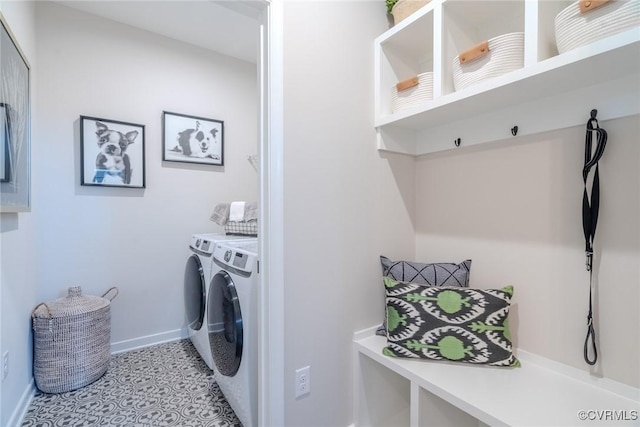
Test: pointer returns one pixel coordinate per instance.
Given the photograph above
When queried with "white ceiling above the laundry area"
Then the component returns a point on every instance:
(229, 26)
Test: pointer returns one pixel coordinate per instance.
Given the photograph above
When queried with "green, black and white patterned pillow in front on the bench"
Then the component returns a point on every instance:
(451, 323)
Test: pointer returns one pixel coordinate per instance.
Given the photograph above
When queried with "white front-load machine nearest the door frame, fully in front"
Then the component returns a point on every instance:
(233, 324)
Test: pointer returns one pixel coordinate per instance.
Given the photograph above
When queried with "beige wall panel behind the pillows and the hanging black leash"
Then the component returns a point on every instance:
(515, 208)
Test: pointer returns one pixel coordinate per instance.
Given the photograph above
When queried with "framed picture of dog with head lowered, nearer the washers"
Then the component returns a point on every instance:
(192, 139)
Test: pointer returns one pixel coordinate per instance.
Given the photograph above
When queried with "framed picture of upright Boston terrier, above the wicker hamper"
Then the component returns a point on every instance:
(112, 153)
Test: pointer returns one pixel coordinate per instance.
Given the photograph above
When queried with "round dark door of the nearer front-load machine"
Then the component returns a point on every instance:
(225, 324)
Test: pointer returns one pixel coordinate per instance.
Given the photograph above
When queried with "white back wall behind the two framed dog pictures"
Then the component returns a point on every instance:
(134, 239)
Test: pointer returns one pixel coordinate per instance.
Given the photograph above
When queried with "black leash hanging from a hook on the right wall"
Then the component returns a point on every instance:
(590, 207)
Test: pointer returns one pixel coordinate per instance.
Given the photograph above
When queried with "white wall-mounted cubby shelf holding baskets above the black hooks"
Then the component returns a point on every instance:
(551, 92)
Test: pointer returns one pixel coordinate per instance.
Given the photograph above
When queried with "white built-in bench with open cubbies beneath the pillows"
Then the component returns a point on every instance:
(400, 392)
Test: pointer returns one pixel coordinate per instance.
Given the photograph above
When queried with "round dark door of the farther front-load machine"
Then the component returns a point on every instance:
(194, 292)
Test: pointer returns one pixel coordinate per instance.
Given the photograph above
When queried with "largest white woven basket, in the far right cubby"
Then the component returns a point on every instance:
(574, 28)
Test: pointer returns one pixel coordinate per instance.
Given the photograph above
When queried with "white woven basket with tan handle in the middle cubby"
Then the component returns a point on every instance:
(505, 54)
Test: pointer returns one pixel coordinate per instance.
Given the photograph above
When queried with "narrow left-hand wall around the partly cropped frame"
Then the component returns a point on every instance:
(18, 280)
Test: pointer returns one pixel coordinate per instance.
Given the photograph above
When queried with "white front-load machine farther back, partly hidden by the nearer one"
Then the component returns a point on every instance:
(197, 276)
